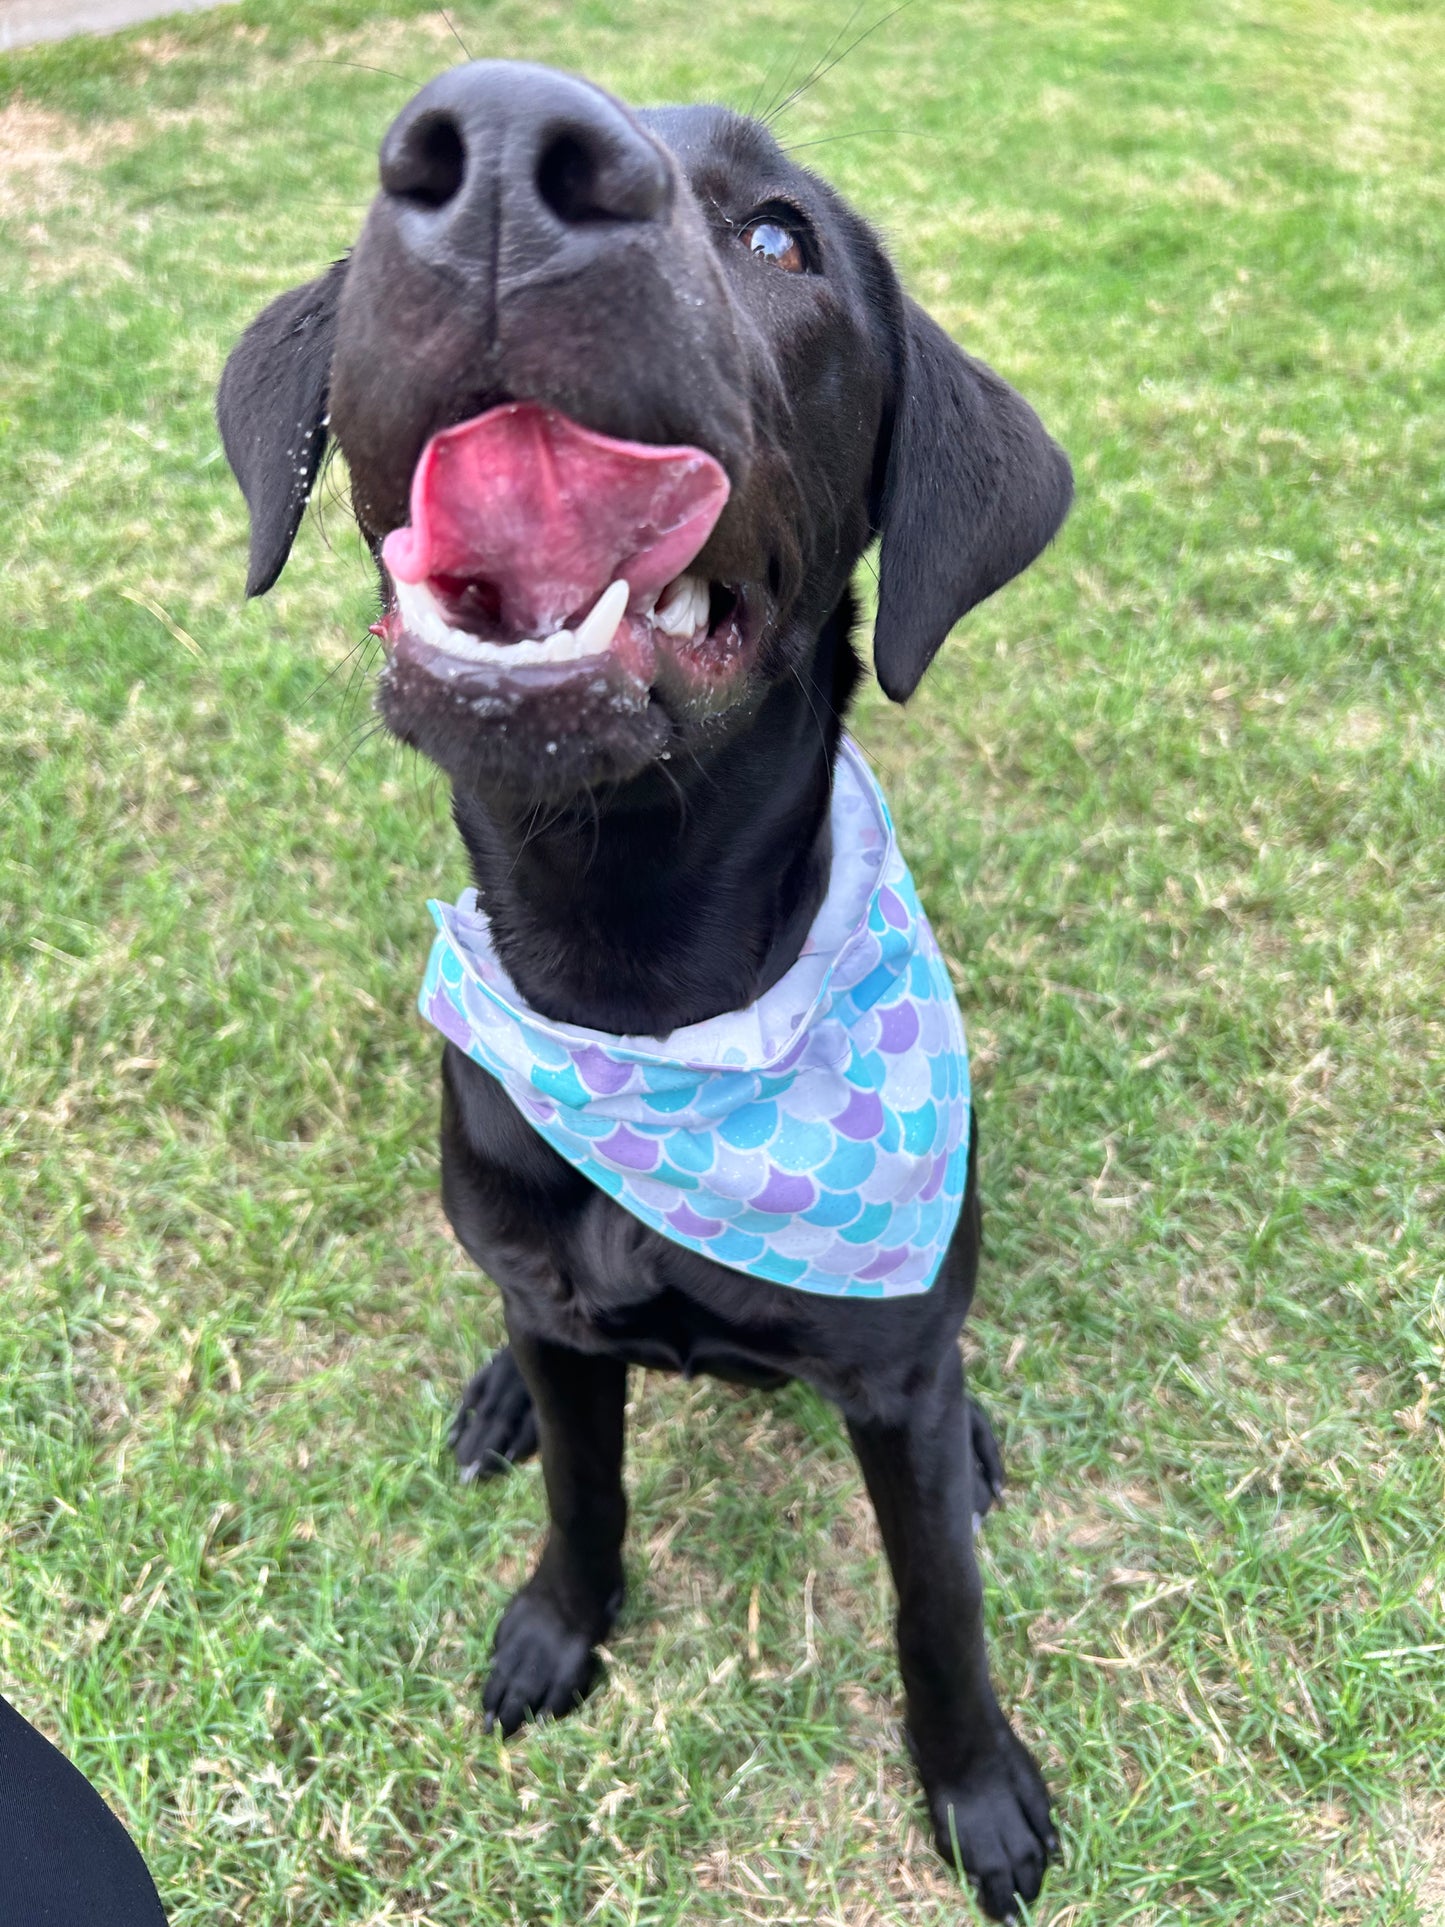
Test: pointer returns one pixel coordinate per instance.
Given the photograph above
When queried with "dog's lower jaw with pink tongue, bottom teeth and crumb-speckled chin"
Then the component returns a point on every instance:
(542, 623)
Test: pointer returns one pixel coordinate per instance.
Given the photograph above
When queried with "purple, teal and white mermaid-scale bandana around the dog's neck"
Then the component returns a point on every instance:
(816, 1140)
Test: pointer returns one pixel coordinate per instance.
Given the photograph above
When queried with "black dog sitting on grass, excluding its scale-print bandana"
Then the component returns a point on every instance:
(648, 828)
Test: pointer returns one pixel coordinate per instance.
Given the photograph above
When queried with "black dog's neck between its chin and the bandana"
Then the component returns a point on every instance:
(691, 891)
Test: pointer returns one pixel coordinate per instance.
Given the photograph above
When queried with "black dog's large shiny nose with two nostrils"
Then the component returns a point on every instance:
(517, 153)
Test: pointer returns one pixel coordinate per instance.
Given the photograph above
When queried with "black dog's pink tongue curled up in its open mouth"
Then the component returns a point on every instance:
(550, 514)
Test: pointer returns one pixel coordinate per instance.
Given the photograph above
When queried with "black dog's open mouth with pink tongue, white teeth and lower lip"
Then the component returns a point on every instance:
(546, 560)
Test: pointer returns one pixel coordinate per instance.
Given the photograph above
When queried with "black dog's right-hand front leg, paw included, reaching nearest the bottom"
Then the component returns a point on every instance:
(987, 1801)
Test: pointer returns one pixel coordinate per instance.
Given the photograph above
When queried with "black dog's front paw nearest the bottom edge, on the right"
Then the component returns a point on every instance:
(993, 1822)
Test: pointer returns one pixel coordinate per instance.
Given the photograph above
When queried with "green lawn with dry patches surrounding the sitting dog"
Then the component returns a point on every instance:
(1178, 806)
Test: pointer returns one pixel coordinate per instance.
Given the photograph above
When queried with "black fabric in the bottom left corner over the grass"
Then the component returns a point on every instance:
(65, 1857)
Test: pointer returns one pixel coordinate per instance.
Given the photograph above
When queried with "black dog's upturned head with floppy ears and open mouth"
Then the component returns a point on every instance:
(625, 396)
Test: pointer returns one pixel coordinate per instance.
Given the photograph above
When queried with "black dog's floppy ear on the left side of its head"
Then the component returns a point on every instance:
(273, 415)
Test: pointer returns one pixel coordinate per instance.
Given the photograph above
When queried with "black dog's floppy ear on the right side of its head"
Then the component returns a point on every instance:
(974, 490)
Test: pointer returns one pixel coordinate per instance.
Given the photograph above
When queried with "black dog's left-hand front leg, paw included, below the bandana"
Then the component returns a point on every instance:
(544, 1656)
